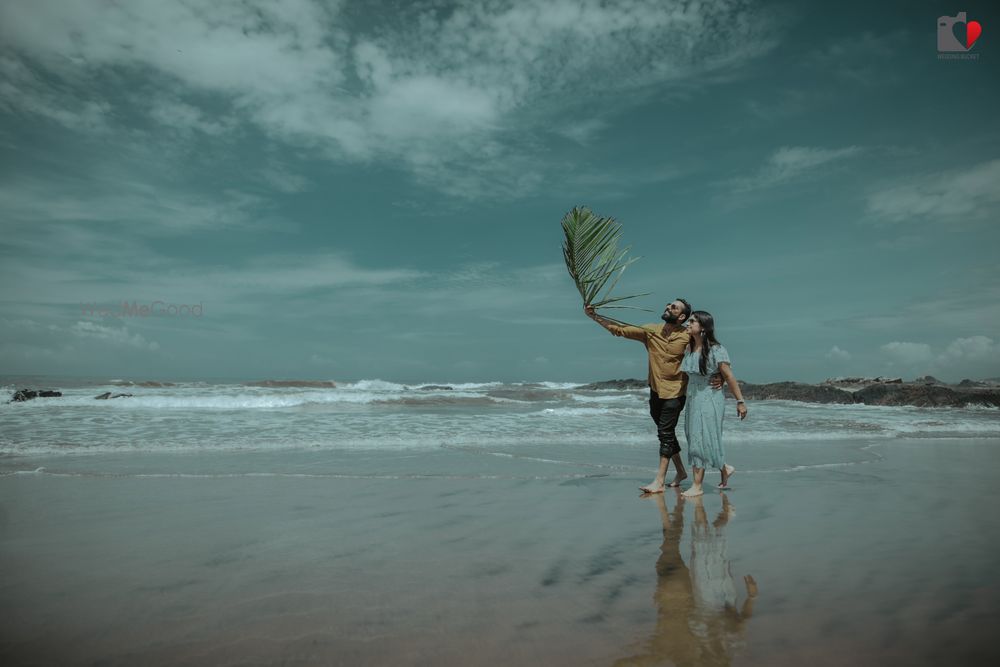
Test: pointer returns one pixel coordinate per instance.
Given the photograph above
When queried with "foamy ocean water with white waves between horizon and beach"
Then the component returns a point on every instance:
(372, 416)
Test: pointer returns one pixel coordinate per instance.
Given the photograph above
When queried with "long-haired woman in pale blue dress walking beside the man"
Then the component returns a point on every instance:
(705, 406)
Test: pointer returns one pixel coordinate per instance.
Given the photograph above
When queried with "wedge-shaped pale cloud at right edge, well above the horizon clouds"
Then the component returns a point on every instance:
(956, 195)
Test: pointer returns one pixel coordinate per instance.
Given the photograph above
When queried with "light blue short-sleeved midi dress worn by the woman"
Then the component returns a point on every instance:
(704, 409)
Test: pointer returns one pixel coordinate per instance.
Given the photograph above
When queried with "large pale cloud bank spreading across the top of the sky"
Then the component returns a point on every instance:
(458, 95)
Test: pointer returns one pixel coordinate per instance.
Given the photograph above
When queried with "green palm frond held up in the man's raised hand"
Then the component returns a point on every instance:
(593, 258)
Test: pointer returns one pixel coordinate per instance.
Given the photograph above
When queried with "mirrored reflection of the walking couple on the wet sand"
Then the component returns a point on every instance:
(698, 619)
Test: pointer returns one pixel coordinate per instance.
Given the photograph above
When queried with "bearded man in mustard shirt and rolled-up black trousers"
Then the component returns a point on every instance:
(667, 383)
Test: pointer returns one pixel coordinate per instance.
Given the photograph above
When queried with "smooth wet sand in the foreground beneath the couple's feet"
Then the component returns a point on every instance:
(866, 553)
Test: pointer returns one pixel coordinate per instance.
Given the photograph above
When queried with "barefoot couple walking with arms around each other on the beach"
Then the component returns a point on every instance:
(685, 362)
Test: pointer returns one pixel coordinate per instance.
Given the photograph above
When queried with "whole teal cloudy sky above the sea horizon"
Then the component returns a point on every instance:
(357, 190)
